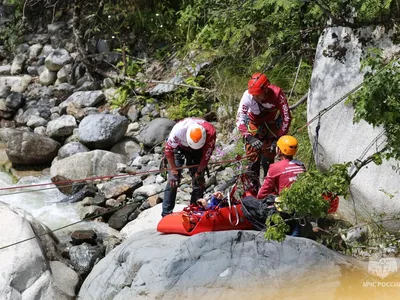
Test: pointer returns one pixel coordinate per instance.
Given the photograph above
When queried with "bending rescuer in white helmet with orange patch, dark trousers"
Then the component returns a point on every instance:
(193, 140)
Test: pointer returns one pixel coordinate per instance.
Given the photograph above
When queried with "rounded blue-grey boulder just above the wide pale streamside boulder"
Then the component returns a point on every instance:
(102, 131)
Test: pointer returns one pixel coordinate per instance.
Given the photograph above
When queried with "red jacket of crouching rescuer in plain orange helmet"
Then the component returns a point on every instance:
(280, 175)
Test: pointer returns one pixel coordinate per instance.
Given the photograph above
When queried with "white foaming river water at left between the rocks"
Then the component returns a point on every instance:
(41, 202)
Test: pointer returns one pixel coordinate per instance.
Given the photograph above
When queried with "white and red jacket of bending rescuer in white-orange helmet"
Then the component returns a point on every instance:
(177, 138)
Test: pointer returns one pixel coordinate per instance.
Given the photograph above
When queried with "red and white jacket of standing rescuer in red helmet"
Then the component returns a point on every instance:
(276, 106)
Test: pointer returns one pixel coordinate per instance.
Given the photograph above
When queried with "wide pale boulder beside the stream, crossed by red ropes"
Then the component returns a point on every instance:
(85, 165)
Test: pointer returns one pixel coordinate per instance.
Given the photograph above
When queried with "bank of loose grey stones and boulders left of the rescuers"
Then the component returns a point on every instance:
(56, 121)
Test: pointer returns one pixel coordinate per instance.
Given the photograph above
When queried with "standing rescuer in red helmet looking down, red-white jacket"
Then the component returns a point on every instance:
(262, 118)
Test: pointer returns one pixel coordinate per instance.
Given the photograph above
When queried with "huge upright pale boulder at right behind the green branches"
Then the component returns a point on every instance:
(340, 140)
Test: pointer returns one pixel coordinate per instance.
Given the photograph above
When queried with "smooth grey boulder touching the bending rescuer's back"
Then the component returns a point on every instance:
(155, 132)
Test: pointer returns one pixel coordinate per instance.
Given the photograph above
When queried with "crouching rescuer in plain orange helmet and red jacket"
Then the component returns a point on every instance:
(283, 173)
